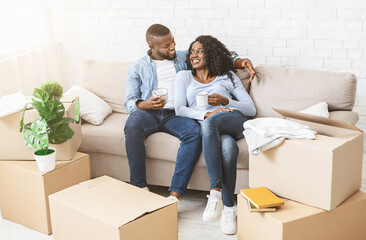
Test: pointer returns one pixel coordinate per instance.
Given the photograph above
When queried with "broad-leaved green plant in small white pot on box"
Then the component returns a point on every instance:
(50, 127)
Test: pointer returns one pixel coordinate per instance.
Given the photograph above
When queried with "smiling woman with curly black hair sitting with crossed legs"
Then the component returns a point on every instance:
(211, 69)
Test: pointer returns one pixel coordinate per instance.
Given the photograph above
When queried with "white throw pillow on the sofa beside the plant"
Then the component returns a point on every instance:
(92, 108)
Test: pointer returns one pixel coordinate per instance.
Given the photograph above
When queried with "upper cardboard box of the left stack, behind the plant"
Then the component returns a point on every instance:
(12, 145)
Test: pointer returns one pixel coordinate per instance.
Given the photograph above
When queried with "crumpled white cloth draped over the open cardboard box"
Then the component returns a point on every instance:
(264, 133)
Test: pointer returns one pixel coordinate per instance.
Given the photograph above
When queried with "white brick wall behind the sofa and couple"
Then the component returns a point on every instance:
(317, 34)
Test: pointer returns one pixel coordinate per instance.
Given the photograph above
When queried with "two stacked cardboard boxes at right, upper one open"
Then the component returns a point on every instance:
(320, 181)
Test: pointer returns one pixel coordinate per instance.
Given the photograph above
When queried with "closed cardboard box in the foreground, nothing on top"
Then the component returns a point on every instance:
(106, 208)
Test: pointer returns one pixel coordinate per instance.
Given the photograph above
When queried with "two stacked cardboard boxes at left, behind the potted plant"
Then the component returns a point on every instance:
(24, 189)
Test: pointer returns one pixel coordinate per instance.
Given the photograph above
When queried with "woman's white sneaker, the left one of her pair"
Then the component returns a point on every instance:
(214, 207)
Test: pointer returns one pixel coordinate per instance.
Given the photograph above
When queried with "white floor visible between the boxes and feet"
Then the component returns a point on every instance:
(189, 219)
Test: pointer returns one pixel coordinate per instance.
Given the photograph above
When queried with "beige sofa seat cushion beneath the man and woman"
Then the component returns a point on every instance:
(109, 138)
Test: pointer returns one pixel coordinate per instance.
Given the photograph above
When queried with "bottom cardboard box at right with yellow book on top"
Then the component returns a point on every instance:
(302, 222)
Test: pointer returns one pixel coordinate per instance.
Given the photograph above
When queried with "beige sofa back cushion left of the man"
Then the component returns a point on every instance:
(107, 80)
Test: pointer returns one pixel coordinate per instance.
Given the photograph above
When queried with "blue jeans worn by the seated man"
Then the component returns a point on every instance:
(141, 124)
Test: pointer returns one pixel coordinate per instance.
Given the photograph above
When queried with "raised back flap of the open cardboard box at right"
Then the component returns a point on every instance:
(316, 119)
